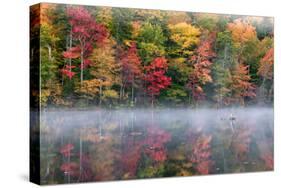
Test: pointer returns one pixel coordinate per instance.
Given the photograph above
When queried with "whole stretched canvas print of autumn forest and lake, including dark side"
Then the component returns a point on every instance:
(122, 93)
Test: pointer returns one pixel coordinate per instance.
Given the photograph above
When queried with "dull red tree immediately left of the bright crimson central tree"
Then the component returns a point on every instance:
(131, 67)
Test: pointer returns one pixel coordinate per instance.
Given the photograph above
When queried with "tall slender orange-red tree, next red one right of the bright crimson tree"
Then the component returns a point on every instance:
(201, 69)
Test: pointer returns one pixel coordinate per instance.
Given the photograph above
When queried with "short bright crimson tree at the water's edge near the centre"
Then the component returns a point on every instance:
(155, 77)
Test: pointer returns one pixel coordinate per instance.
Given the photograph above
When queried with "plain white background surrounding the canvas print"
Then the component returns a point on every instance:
(14, 79)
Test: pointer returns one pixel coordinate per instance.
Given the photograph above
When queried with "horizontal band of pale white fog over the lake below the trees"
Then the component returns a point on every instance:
(205, 118)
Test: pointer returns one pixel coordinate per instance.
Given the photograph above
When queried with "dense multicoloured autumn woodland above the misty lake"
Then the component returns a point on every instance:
(118, 57)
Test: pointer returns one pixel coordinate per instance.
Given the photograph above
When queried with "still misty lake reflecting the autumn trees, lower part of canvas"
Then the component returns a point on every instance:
(101, 145)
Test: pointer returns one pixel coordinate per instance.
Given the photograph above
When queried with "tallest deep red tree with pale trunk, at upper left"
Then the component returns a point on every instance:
(86, 31)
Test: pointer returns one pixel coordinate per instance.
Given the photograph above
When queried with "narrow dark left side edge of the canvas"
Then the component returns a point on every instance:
(34, 94)
